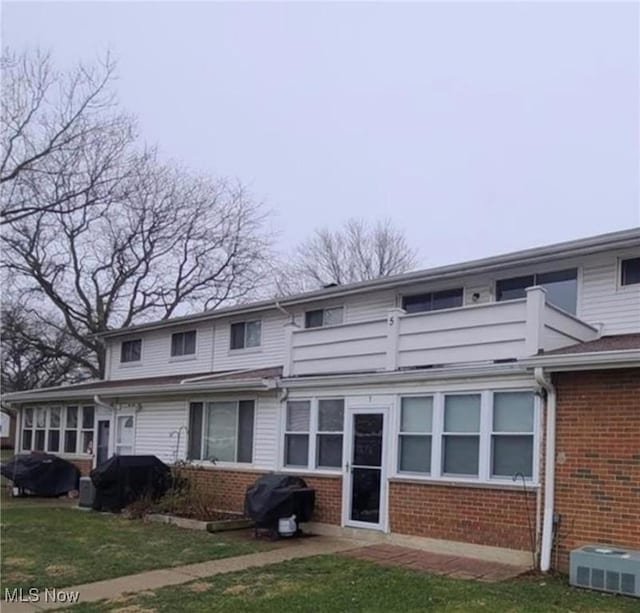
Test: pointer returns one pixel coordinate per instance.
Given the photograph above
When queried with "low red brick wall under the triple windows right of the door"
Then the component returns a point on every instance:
(483, 516)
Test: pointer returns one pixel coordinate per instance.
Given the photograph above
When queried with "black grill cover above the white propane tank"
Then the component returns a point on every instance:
(274, 496)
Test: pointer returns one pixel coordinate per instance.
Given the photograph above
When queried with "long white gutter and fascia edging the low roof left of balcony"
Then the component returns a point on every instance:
(244, 385)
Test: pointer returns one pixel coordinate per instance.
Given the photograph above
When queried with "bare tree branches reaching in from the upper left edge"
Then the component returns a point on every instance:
(63, 136)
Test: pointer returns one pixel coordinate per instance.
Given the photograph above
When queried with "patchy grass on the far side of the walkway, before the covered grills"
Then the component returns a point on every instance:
(57, 547)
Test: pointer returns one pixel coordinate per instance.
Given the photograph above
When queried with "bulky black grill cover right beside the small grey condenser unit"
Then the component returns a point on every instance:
(125, 478)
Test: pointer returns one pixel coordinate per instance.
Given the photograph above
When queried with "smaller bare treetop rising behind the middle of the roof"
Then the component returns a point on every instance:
(356, 252)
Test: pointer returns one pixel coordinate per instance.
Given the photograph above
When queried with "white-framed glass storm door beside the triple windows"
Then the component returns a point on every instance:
(365, 484)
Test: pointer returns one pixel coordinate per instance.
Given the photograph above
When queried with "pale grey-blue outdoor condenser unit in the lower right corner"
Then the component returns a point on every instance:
(607, 568)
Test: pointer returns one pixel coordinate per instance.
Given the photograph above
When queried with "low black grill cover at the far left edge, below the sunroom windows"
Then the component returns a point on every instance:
(42, 474)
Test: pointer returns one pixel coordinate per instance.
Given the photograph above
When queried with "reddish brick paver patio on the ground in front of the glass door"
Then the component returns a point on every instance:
(437, 563)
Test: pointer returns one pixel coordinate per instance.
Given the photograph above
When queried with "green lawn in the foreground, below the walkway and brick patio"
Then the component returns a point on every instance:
(340, 584)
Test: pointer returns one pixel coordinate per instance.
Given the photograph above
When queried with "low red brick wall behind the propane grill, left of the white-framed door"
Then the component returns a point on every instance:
(227, 489)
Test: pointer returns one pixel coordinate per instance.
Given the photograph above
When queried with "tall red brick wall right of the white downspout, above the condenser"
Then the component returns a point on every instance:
(598, 459)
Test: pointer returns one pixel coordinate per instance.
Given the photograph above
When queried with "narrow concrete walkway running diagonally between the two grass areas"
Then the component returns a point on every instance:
(154, 579)
